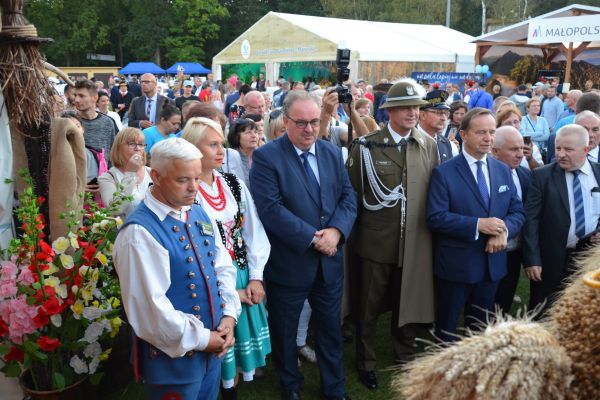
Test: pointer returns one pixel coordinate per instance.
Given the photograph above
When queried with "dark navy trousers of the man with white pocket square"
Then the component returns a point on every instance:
(476, 300)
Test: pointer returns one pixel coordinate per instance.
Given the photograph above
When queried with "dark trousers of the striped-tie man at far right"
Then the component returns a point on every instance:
(545, 292)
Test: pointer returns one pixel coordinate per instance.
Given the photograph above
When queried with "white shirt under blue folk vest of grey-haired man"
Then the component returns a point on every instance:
(144, 274)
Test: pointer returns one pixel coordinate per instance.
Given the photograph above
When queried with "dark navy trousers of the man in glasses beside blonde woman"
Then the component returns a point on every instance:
(285, 305)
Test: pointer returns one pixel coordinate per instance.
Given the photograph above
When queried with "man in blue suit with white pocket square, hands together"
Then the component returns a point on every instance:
(473, 209)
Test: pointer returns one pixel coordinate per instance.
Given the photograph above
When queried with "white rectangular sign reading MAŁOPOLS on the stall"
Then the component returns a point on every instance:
(568, 29)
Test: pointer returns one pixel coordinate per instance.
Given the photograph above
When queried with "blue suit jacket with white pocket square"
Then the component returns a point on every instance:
(455, 205)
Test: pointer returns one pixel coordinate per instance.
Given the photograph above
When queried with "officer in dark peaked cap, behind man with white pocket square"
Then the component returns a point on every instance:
(432, 120)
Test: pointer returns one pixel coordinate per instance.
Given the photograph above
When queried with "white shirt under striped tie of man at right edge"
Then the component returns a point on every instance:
(588, 182)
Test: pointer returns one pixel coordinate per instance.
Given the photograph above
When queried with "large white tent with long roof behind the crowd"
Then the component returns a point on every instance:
(279, 37)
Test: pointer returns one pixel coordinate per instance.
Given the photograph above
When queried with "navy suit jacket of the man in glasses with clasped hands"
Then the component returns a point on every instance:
(291, 213)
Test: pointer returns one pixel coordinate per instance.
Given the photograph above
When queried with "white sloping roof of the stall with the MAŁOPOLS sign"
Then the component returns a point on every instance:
(519, 30)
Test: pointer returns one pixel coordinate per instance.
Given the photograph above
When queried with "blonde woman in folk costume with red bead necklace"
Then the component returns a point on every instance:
(226, 198)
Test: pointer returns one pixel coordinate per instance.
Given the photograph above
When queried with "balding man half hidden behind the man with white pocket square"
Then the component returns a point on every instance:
(508, 148)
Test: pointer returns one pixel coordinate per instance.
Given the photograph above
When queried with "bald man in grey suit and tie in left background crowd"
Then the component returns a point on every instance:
(145, 109)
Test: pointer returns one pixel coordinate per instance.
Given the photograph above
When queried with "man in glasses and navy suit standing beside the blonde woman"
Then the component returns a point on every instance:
(307, 205)
